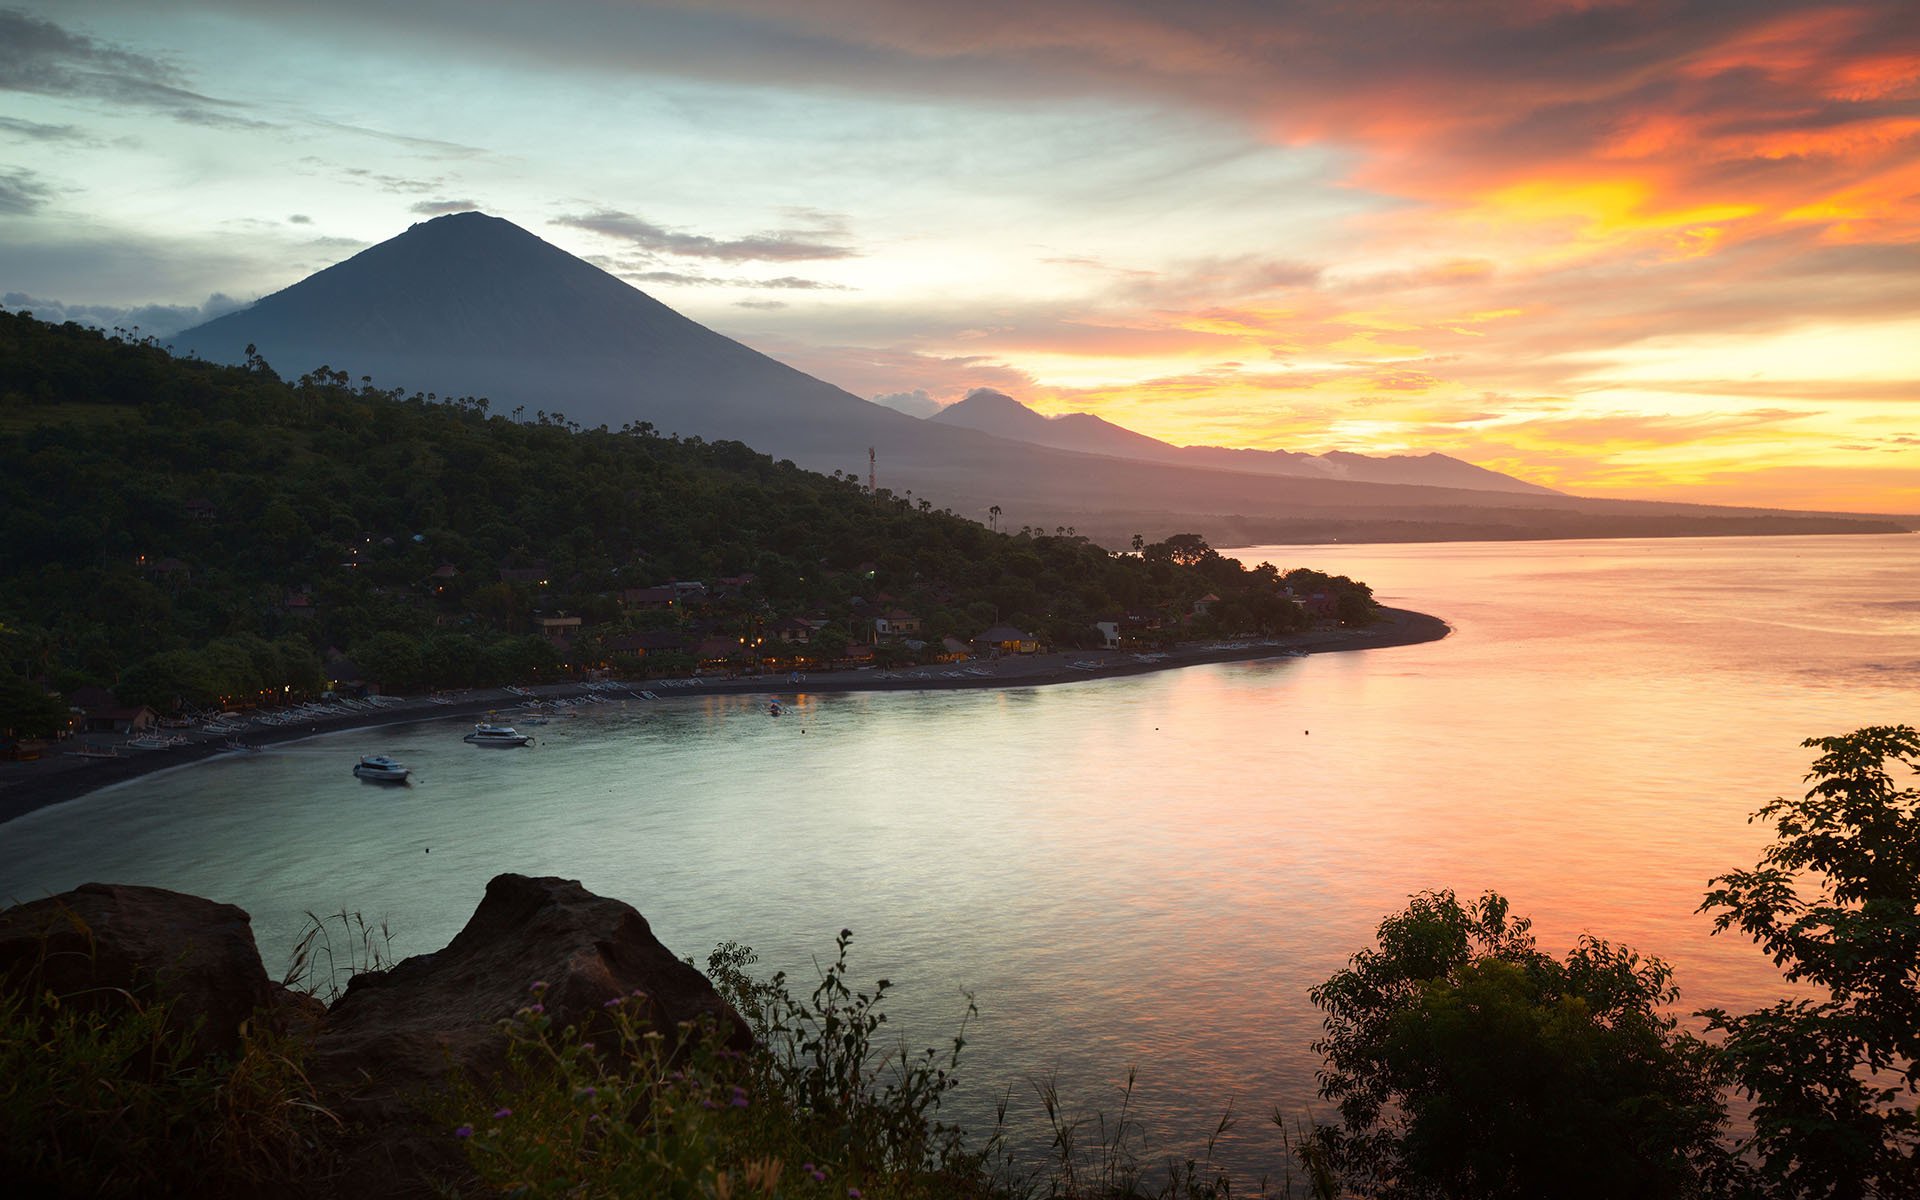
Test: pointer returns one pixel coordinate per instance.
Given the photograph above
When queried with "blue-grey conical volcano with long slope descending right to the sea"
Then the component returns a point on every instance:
(477, 306)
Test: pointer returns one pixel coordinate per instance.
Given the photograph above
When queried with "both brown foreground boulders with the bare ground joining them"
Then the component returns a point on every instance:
(383, 1053)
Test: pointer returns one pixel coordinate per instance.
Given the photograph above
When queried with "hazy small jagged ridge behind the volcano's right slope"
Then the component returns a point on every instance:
(1005, 418)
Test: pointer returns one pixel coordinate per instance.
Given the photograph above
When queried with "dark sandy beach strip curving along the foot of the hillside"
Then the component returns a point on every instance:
(62, 777)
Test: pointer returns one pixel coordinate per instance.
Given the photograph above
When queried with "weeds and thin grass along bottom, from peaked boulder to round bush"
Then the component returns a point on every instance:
(821, 1109)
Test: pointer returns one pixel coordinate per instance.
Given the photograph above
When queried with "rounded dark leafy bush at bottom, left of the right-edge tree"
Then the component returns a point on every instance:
(1466, 1063)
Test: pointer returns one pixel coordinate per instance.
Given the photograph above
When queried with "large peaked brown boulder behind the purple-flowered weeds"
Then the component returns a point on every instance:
(393, 1038)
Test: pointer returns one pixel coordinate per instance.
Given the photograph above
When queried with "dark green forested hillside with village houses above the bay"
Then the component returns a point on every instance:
(193, 533)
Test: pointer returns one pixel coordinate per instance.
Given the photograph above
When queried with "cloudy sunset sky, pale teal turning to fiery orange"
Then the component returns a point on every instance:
(1662, 251)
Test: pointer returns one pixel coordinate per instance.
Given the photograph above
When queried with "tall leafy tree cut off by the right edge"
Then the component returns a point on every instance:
(1836, 901)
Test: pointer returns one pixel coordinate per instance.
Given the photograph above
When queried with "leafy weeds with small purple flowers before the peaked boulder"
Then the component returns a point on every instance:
(817, 1109)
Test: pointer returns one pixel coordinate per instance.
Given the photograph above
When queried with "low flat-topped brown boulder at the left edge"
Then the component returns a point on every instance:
(103, 942)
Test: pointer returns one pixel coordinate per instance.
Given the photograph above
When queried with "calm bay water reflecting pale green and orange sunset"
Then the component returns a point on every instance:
(1141, 873)
